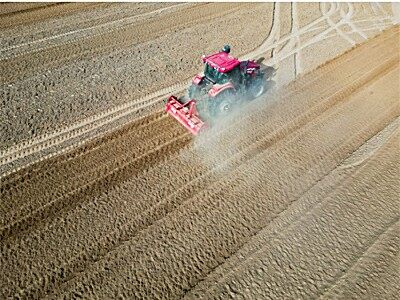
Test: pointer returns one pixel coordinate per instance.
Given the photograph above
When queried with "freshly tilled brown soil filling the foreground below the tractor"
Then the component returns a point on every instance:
(144, 212)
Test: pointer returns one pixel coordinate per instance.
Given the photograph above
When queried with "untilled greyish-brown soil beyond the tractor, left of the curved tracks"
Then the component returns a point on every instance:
(57, 82)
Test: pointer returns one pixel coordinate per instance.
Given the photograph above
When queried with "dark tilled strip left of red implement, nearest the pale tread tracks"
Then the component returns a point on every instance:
(64, 174)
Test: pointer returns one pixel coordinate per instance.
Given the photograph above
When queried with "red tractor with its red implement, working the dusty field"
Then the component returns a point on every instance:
(225, 83)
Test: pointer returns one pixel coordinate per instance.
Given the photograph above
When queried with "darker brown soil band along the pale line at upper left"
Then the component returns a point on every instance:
(108, 41)
